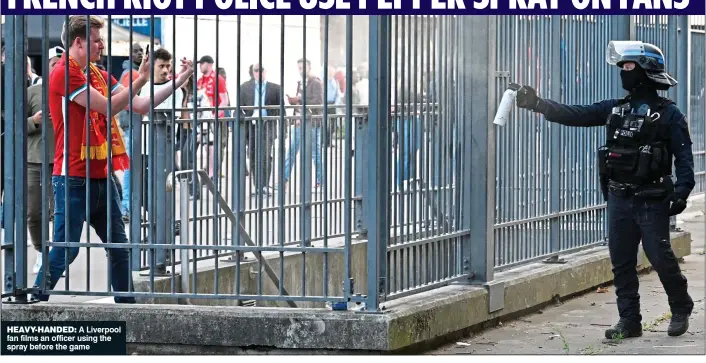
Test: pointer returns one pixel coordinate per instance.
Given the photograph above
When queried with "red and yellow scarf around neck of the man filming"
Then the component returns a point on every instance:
(98, 147)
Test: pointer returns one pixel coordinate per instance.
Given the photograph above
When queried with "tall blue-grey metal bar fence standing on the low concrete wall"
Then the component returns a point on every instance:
(398, 153)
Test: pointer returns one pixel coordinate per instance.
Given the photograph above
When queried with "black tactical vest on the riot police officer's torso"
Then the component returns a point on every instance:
(636, 149)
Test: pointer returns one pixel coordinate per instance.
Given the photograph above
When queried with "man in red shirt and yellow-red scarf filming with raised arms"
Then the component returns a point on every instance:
(71, 175)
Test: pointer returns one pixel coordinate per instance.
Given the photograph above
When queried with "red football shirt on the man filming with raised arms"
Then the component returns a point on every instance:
(76, 122)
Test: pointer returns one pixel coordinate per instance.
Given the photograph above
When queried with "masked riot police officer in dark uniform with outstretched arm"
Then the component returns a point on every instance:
(645, 132)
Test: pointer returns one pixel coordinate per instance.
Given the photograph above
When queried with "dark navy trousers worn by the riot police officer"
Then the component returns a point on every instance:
(630, 219)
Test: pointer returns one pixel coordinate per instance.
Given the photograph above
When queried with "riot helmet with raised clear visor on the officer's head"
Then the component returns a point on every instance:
(647, 56)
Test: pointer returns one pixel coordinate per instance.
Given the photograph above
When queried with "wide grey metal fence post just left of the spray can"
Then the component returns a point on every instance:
(481, 149)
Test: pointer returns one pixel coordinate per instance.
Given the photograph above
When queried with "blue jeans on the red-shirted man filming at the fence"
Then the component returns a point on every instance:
(98, 209)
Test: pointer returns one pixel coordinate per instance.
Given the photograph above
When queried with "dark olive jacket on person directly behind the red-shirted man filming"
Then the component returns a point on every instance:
(34, 132)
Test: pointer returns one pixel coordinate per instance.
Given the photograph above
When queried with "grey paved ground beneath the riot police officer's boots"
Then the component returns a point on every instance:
(576, 326)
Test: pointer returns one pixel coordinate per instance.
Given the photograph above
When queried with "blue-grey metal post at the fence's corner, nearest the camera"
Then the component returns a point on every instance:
(377, 192)
